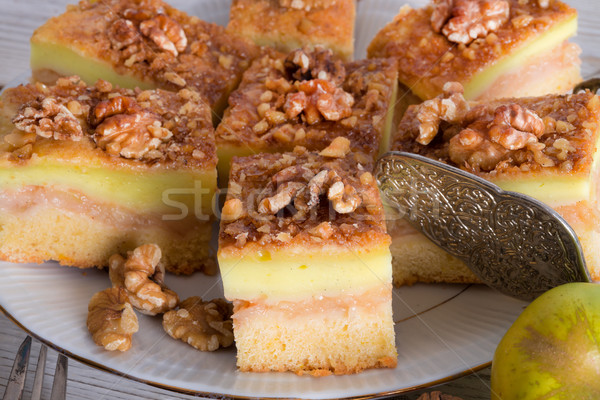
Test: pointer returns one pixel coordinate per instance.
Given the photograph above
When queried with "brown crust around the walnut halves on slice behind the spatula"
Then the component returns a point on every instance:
(573, 118)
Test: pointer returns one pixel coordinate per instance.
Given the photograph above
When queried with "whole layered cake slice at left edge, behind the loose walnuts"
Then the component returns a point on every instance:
(90, 171)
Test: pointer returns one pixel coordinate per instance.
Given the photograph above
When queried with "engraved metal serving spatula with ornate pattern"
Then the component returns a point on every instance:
(512, 242)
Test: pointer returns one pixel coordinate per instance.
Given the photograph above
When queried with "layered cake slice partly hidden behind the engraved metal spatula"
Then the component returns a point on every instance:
(545, 147)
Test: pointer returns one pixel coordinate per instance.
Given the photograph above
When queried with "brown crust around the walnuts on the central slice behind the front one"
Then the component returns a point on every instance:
(266, 84)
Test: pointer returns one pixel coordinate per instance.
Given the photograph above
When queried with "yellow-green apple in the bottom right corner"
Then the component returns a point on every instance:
(552, 351)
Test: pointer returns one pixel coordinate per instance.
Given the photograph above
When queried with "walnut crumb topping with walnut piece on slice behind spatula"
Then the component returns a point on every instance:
(510, 135)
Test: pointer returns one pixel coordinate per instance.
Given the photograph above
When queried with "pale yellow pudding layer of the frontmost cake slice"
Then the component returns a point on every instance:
(295, 274)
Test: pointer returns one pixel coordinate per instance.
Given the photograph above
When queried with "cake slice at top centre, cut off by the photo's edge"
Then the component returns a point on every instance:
(291, 24)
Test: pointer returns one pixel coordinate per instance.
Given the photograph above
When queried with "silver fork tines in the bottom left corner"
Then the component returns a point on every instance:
(16, 381)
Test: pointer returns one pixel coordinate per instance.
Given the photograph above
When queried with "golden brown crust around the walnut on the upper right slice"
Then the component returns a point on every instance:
(428, 59)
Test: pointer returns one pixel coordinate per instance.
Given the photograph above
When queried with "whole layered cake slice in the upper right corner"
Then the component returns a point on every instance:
(494, 48)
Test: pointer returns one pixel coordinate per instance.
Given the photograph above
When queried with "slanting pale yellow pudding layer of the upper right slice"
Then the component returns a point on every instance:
(480, 82)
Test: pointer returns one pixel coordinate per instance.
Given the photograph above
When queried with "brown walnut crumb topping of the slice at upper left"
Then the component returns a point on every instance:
(153, 41)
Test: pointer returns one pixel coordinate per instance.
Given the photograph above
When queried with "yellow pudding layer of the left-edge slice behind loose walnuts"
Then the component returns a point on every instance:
(163, 191)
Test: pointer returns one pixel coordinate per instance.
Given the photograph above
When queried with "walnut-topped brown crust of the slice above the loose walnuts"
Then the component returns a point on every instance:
(118, 128)
